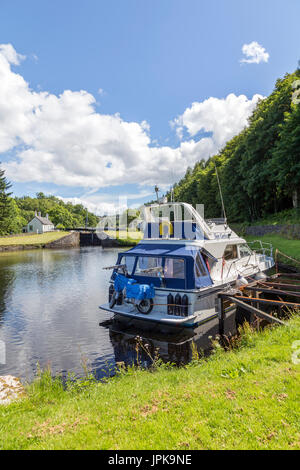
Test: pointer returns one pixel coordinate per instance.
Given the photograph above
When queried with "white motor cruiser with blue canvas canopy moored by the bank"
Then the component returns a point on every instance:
(181, 257)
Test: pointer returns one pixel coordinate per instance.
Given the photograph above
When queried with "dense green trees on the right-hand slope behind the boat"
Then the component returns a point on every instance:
(259, 169)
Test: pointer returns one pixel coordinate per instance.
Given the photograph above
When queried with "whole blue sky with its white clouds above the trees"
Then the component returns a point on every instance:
(151, 60)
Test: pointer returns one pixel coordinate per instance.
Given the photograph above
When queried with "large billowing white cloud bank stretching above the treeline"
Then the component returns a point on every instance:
(63, 140)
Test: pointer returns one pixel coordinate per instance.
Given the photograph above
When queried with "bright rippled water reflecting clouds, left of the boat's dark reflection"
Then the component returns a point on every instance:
(50, 309)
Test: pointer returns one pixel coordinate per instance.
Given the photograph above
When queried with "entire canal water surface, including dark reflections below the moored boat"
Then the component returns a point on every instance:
(49, 316)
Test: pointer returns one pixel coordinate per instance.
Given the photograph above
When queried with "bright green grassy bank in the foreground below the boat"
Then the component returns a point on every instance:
(247, 398)
